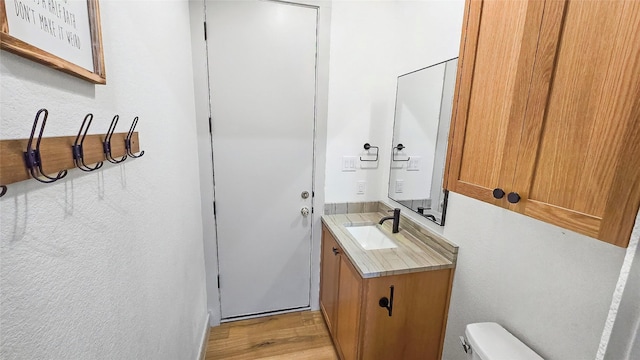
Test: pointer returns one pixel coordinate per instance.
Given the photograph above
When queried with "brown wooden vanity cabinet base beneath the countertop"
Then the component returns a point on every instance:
(362, 329)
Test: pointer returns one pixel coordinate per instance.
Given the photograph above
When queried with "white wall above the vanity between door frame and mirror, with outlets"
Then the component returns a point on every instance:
(372, 43)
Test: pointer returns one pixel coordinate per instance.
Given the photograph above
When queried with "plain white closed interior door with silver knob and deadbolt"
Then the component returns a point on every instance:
(262, 66)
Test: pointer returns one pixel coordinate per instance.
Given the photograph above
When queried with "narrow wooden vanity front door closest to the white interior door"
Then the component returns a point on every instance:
(329, 266)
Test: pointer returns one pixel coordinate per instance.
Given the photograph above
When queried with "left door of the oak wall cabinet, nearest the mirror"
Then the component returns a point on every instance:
(494, 75)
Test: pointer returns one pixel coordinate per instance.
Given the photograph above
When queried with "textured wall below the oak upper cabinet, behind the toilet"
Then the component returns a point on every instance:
(550, 287)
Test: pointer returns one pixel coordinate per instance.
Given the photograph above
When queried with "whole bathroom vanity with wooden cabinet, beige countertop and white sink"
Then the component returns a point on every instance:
(388, 302)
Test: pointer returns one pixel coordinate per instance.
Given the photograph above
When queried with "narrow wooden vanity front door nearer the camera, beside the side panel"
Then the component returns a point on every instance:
(349, 300)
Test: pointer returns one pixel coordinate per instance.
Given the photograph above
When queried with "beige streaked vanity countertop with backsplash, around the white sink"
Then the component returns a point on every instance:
(418, 249)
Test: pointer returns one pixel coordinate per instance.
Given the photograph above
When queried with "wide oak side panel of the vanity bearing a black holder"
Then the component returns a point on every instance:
(415, 329)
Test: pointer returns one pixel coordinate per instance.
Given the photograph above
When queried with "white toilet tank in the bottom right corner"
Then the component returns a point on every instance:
(490, 341)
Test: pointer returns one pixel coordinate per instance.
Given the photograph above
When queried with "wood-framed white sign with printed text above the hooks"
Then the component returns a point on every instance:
(62, 34)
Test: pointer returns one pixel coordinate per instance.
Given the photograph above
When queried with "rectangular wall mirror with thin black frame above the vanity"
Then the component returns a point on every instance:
(424, 101)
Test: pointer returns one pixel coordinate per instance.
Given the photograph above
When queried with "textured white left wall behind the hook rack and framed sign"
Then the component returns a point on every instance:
(108, 265)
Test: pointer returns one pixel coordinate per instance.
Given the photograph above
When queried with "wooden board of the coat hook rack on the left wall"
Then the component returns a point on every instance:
(54, 155)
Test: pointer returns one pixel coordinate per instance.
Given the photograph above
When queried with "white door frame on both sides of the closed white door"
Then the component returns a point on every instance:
(197, 11)
